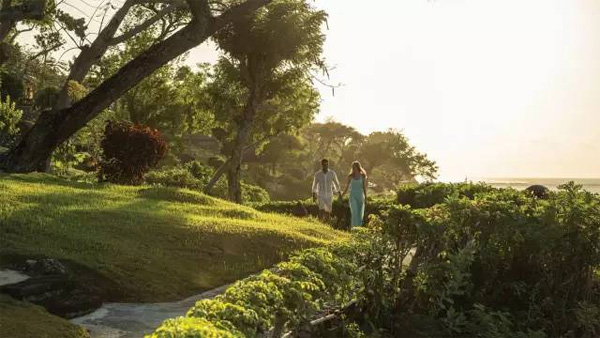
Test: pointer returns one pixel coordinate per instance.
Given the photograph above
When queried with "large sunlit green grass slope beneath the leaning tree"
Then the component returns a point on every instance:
(150, 243)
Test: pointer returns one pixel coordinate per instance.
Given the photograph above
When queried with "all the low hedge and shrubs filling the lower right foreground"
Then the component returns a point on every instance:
(491, 263)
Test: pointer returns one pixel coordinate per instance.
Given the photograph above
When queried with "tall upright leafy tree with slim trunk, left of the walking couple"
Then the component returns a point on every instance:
(264, 79)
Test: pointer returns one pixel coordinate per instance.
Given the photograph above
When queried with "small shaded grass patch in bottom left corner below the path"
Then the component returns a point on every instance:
(18, 319)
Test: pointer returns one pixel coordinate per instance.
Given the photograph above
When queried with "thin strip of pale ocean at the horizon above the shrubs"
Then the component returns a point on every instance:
(590, 184)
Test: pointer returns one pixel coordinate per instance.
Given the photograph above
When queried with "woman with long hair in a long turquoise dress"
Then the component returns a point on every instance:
(357, 184)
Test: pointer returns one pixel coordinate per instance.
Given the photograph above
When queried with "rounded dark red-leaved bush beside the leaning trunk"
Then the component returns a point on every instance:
(129, 151)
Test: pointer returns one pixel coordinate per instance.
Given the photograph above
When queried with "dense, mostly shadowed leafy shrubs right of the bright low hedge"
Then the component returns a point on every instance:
(486, 262)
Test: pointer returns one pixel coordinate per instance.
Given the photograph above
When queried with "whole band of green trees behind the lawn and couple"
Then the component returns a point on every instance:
(245, 122)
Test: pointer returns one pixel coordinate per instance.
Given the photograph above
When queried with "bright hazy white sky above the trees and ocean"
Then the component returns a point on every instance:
(486, 88)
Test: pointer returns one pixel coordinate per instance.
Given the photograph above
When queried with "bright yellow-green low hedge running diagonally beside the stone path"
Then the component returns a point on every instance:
(290, 295)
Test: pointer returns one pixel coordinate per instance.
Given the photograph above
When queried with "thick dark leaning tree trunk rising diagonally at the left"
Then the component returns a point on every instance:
(54, 127)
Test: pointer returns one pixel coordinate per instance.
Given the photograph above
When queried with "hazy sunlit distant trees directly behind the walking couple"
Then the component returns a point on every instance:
(286, 165)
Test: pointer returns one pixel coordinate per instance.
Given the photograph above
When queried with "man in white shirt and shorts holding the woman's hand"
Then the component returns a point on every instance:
(325, 184)
